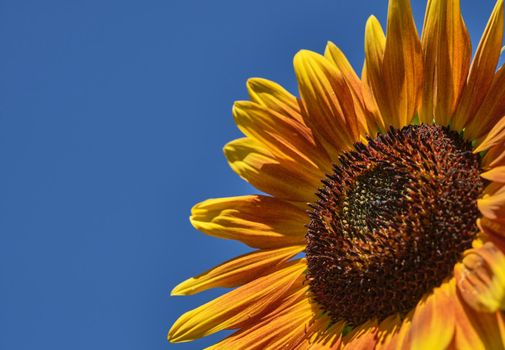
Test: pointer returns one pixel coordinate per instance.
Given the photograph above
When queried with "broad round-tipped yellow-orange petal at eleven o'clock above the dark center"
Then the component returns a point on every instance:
(327, 102)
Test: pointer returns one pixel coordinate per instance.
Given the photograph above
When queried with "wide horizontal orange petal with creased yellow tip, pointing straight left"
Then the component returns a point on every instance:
(258, 221)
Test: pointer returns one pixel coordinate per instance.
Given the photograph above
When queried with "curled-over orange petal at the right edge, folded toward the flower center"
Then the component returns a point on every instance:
(481, 278)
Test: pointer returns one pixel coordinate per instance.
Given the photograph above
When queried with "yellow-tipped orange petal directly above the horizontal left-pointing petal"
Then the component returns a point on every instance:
(269, 174)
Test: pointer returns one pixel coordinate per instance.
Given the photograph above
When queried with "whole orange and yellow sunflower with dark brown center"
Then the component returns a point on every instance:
(403, 170)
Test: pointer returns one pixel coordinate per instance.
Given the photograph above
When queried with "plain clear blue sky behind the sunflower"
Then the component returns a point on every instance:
(113, 115)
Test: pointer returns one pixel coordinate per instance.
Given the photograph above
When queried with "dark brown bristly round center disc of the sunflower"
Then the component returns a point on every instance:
(391, 222)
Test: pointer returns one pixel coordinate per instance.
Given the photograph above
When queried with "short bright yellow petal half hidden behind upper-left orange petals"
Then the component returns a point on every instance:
(273, 96)
